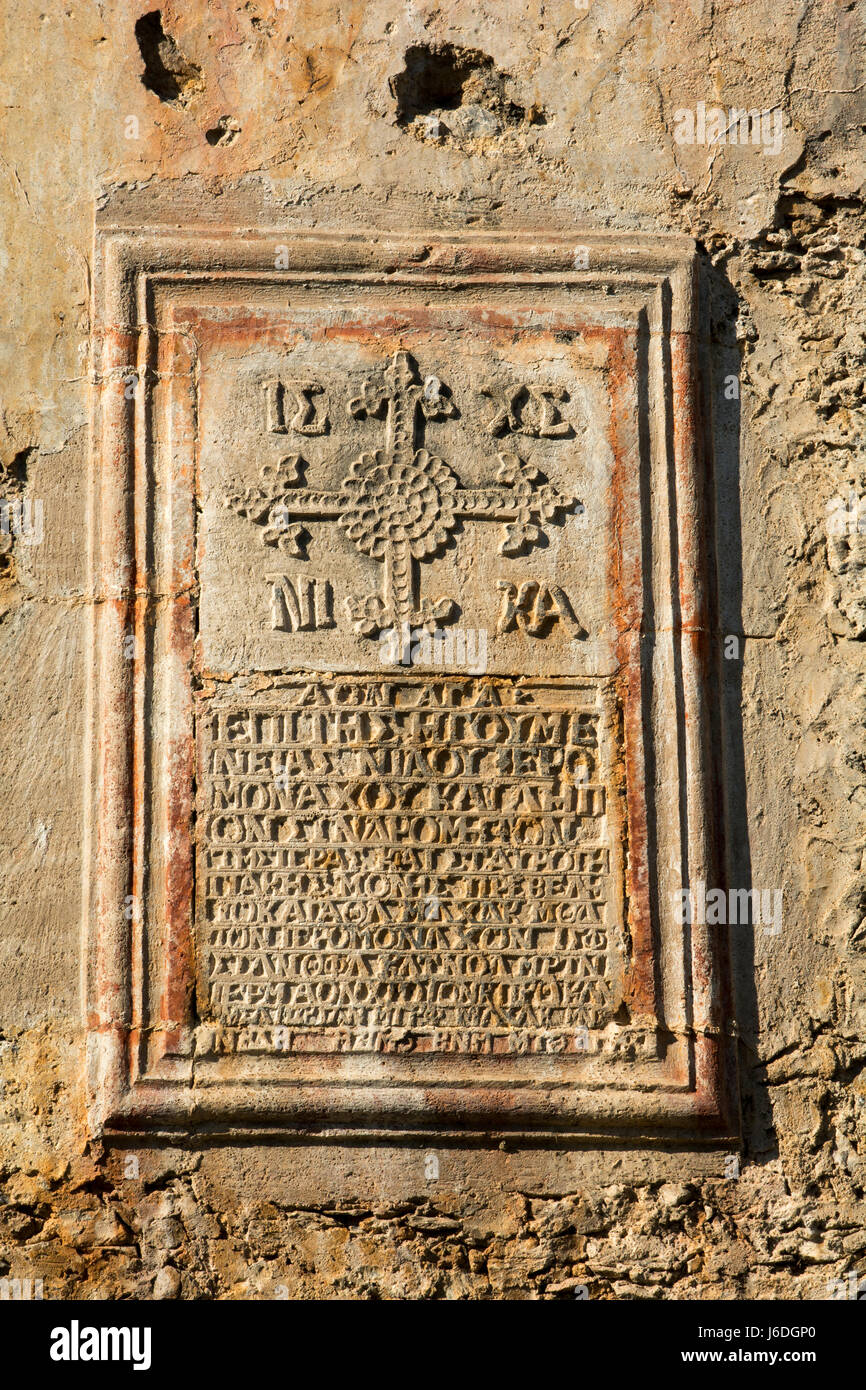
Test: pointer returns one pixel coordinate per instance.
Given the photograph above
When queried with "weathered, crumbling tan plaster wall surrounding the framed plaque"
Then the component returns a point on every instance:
(323, 115)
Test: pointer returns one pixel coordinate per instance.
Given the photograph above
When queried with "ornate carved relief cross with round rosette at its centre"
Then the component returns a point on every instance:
(401, 504)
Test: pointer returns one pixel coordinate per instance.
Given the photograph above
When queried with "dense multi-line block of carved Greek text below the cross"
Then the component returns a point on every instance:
(338, 817)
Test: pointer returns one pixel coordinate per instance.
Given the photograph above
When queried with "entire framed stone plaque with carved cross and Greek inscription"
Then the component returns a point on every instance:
(400, 747)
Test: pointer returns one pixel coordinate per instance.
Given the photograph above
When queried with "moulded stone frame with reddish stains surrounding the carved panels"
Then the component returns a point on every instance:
(668, 1074)
